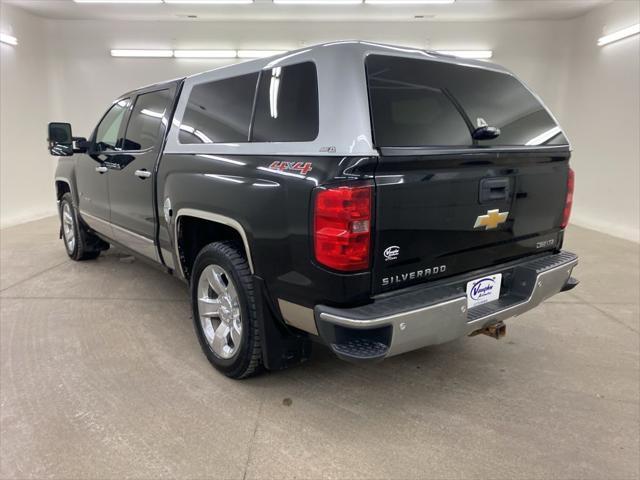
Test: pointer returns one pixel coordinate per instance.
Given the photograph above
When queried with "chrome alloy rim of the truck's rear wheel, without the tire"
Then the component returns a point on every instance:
(219, 311)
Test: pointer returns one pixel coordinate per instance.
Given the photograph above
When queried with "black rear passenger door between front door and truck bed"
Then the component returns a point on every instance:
(132, 171)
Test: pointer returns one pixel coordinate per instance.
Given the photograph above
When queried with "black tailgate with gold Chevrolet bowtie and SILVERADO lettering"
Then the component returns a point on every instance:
(441, 217)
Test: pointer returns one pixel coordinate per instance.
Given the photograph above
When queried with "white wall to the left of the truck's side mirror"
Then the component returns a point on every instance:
(26, 169)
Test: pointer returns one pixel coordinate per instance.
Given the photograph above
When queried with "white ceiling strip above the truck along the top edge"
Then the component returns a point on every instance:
(266, 10)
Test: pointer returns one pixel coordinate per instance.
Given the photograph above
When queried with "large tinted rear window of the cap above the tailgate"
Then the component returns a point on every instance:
(422, 103)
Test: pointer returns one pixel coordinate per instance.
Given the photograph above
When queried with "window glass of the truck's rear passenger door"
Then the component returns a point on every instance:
(144, 129)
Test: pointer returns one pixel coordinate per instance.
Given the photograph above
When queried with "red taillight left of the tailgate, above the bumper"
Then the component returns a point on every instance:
(342, 228)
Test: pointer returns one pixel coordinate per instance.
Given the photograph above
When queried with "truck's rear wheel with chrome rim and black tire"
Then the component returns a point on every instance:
(224, 310)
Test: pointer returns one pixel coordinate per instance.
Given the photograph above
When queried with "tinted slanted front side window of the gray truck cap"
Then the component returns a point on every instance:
(219, 111)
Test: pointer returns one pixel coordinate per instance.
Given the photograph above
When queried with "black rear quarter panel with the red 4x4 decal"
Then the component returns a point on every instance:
(274, 208)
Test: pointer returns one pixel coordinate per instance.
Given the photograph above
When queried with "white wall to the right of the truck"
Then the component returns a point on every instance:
(601, 111)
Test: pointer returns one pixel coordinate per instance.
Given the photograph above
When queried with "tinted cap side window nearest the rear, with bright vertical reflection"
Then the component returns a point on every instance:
(287, 105)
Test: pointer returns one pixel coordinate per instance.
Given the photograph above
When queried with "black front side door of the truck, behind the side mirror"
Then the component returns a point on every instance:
(92, 177)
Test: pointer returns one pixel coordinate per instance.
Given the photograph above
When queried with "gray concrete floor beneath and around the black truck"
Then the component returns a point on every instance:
(102, 377)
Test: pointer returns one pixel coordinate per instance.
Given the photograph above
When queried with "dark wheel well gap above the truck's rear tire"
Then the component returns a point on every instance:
(194, 233)
